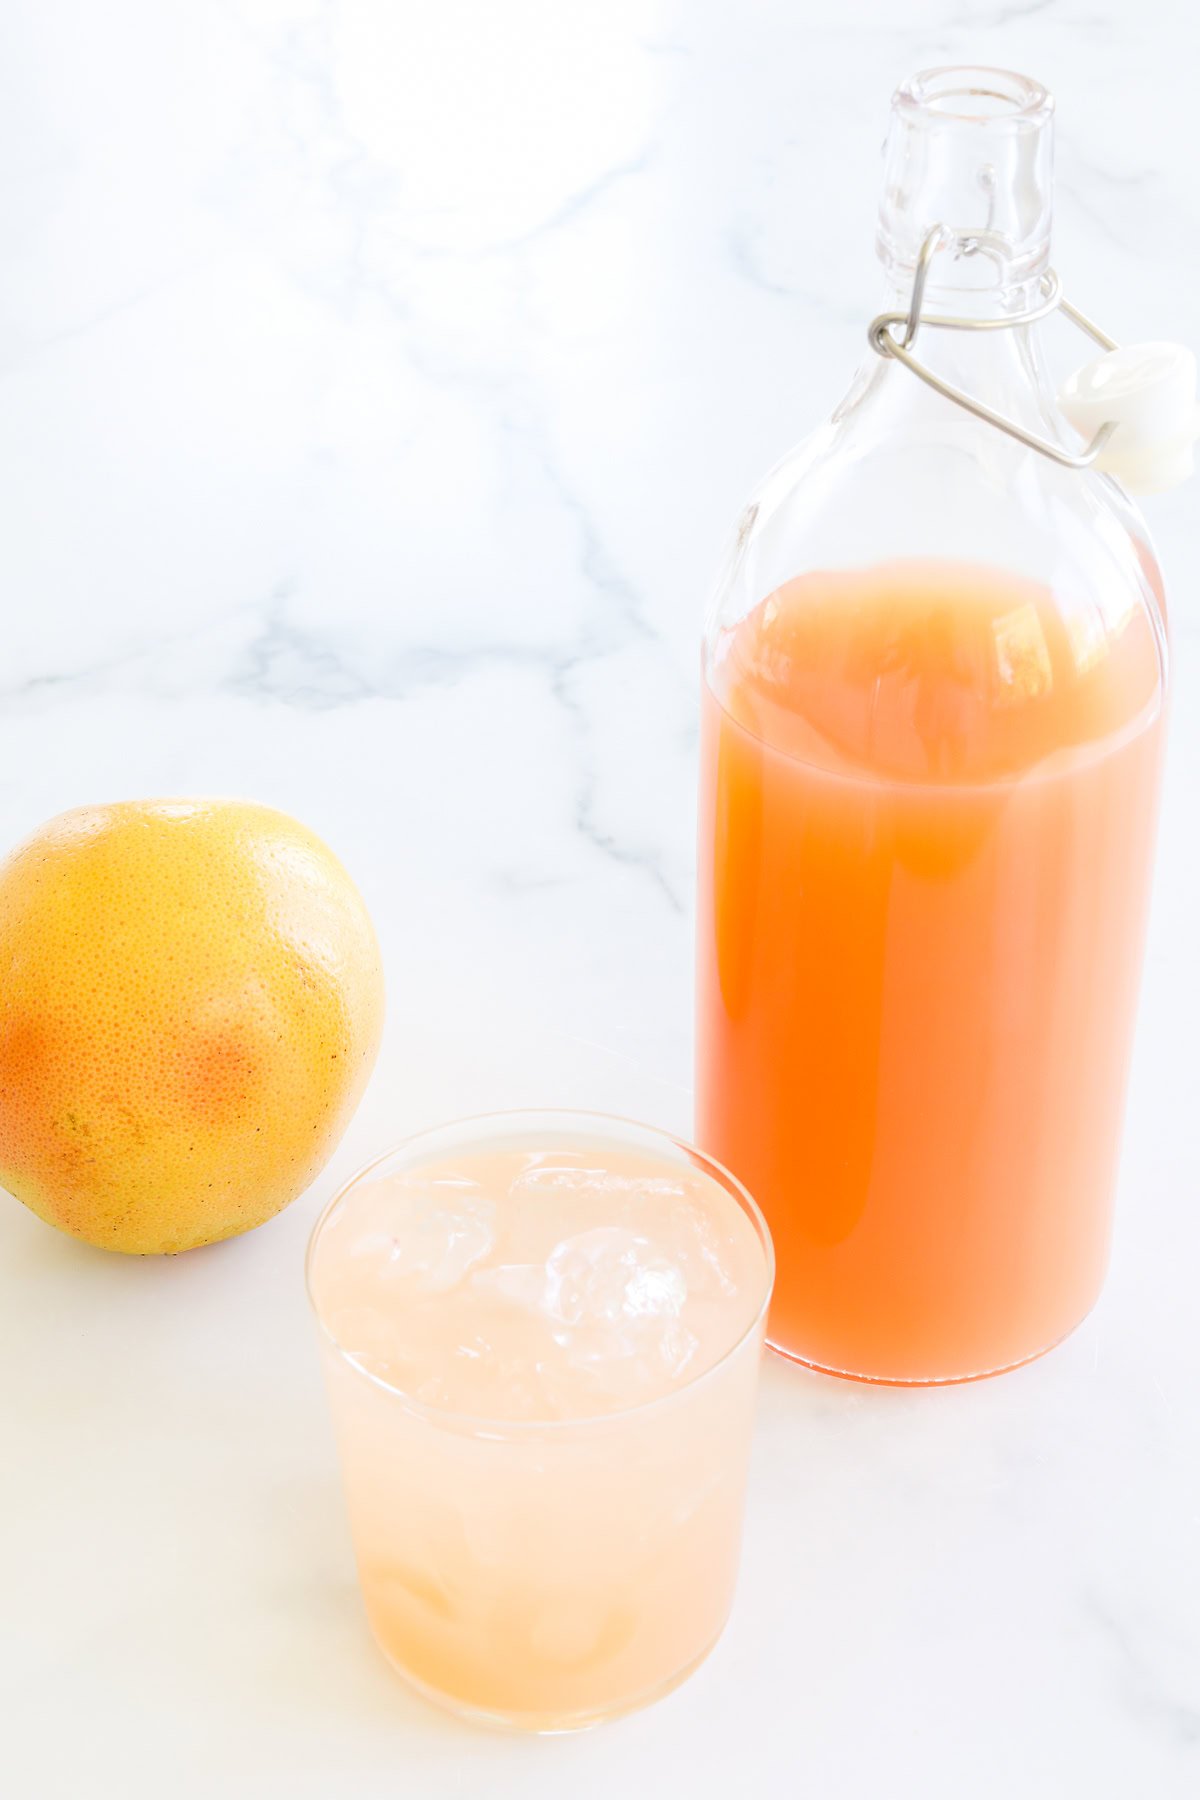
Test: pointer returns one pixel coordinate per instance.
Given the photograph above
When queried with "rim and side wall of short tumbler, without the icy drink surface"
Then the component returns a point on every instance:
(546, 1574)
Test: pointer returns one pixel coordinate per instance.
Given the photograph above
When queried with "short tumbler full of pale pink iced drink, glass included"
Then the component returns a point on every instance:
(542, 1338)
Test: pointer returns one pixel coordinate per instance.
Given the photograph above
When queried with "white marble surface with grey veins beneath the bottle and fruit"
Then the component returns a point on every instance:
(379, 384)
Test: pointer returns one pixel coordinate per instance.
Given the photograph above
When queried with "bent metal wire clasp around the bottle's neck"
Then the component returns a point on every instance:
(884, 343)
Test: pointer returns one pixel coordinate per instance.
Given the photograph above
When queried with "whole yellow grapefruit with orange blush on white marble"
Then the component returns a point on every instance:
(192, 1003)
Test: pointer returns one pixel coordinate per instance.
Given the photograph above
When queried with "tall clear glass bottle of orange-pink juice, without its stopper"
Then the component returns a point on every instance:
(935, 683)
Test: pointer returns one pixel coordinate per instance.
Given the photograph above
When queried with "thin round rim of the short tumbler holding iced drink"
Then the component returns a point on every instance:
(487, 1425)
